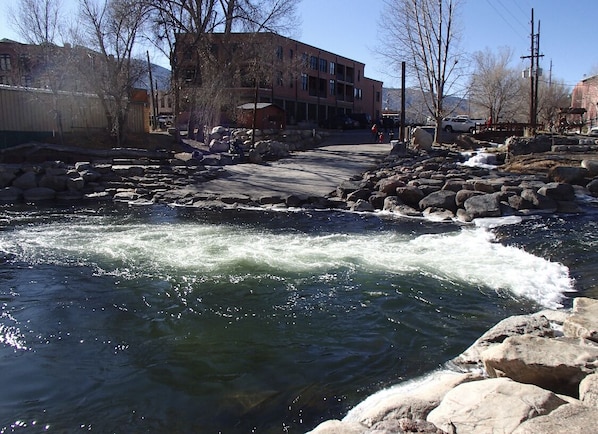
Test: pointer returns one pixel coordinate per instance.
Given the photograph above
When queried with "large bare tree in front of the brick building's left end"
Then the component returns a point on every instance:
(200, 90)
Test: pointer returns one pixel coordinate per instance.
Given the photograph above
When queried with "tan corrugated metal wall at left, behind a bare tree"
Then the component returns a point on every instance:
(23, 109)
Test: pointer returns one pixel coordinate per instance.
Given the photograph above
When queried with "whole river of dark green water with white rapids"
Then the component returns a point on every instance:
(178, 321)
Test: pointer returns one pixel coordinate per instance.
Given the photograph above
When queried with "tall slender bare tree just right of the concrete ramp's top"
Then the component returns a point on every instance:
(423, 34)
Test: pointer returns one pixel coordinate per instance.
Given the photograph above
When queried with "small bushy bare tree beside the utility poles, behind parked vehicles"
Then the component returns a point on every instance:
(495, 87)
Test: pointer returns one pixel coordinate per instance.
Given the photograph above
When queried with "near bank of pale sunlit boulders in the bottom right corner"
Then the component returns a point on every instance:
(529, 374)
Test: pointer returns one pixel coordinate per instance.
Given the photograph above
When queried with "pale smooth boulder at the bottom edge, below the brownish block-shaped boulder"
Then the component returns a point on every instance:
(496, 405)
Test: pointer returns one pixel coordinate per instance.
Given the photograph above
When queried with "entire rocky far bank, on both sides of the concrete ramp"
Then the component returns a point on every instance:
(433, 183)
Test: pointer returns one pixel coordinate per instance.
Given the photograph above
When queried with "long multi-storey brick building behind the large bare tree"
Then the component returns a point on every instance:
(311, 85)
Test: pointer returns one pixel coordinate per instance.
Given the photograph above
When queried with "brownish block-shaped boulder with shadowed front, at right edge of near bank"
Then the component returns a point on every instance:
(524, 359)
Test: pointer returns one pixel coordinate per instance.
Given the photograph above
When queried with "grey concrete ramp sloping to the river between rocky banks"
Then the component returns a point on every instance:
(316, 172)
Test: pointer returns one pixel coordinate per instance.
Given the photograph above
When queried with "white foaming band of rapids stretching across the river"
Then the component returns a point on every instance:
(470, 255)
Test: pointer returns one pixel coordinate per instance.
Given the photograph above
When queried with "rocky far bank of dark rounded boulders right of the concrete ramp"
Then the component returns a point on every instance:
(436, 184)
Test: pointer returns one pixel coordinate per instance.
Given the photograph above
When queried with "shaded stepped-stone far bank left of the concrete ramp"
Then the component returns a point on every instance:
(37, 172)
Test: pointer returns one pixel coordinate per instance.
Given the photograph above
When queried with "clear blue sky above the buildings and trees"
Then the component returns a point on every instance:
(568, 39)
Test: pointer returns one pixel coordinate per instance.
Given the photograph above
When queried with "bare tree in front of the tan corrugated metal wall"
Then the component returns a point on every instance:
(110, 28)
